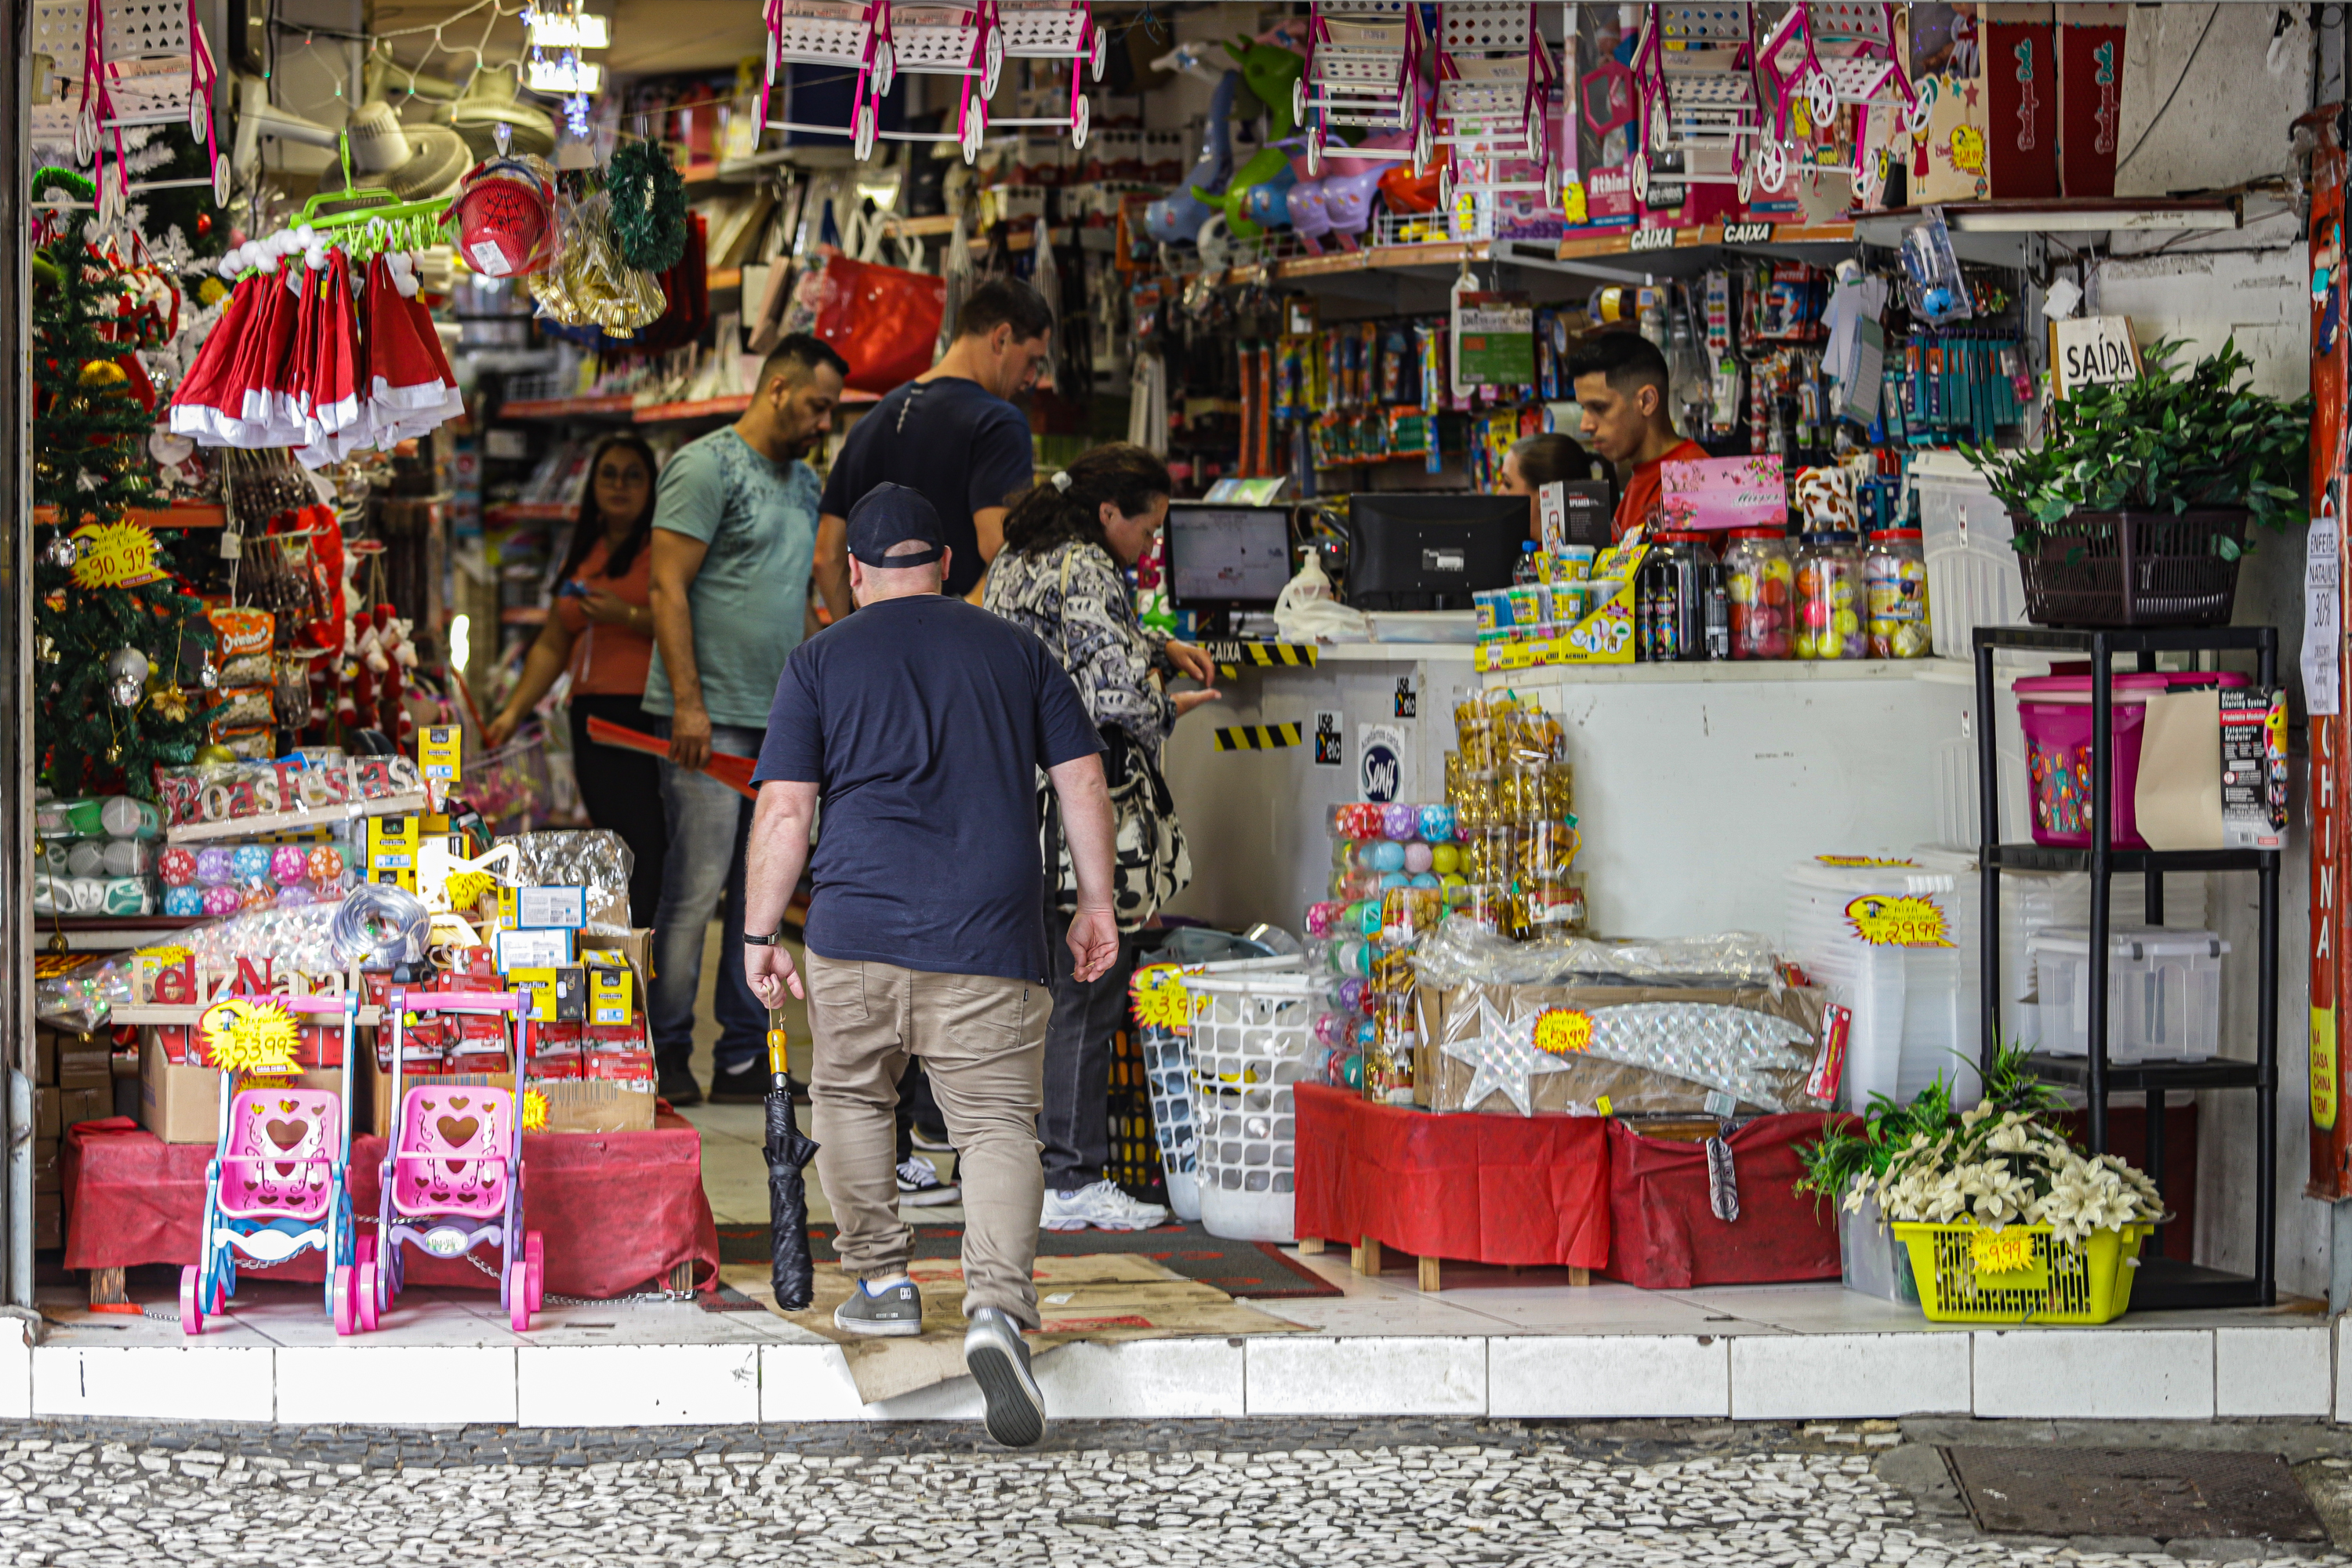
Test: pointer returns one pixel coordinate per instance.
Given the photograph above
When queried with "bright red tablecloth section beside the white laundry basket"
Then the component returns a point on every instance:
(1466, 1188)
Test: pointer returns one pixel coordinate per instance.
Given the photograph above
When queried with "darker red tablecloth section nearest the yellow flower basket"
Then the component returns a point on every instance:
(1666, 1238)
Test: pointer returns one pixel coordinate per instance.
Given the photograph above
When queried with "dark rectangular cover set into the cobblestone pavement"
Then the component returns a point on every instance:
(2134, 1492)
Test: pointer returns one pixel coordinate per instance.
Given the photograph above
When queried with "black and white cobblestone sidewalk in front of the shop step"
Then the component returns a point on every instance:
(1196, 1494)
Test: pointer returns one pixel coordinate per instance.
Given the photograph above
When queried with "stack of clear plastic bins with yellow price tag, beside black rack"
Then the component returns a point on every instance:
(1916, 1007)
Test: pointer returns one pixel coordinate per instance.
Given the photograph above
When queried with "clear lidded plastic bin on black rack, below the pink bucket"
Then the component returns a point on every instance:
(2163, 993)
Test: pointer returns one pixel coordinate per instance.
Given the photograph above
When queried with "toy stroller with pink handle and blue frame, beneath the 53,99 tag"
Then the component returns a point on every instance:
(276, 1184)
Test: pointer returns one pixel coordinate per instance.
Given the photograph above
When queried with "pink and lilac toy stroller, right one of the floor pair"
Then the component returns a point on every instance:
(453, 1172)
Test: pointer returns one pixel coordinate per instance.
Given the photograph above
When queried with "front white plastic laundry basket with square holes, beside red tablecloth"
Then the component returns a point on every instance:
(1250, 1033)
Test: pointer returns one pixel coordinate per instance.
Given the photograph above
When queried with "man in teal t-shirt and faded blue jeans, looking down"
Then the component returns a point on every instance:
(735, 535)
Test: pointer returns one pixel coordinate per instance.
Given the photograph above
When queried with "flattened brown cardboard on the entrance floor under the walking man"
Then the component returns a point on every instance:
(1097, 1299)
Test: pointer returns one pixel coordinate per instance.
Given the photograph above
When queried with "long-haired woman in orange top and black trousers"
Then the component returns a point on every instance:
(603, 631)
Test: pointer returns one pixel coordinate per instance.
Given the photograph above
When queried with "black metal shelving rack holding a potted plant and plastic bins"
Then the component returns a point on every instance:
(2160, 1282)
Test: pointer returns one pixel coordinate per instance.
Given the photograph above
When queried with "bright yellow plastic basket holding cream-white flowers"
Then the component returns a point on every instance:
(2019, 1273)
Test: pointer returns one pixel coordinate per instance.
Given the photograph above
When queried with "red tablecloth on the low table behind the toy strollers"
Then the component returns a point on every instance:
(617, 1209)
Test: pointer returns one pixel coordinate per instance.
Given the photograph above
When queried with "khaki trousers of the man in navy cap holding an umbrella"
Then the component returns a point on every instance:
(982, 1043)
